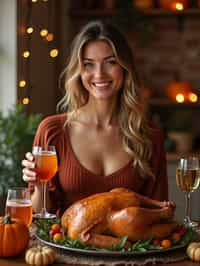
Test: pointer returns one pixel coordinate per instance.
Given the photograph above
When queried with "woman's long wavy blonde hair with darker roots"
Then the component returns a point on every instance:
(132, 122)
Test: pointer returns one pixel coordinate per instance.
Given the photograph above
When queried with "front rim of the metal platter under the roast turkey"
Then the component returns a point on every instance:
(108, 253)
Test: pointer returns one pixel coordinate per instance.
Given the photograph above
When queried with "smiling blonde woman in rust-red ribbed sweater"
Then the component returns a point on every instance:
(102, 140)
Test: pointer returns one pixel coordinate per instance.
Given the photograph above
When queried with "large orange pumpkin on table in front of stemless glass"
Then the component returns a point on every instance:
(14, 236)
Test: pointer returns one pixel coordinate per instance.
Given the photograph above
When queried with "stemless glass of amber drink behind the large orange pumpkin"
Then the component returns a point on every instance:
(19, 205)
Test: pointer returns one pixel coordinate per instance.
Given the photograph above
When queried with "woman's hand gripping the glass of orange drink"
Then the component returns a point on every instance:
(29, 175)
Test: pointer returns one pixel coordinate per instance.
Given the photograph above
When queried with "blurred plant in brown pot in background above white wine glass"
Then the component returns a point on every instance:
(179, 127)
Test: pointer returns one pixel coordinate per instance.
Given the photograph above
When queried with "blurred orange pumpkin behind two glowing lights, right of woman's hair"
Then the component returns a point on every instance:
(178, 87)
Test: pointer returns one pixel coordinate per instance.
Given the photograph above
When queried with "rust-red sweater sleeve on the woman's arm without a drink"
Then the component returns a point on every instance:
(158, 188)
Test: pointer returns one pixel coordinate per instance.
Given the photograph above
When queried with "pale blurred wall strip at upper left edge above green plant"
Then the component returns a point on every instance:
(8, 54)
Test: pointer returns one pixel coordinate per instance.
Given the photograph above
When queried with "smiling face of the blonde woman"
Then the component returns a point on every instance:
(101, 74)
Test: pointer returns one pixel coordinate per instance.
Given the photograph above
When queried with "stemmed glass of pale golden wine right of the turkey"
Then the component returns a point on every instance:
(188, 179)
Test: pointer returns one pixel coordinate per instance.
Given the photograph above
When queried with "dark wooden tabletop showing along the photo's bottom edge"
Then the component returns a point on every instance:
(20, 262)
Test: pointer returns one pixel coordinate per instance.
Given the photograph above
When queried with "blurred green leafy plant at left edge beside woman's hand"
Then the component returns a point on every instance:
(17, 130)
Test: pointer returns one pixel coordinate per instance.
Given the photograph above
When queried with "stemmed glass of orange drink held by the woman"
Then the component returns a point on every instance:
(46, 166)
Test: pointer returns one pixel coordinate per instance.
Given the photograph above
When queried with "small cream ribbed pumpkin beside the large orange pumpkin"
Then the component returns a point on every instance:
(40, 255)
